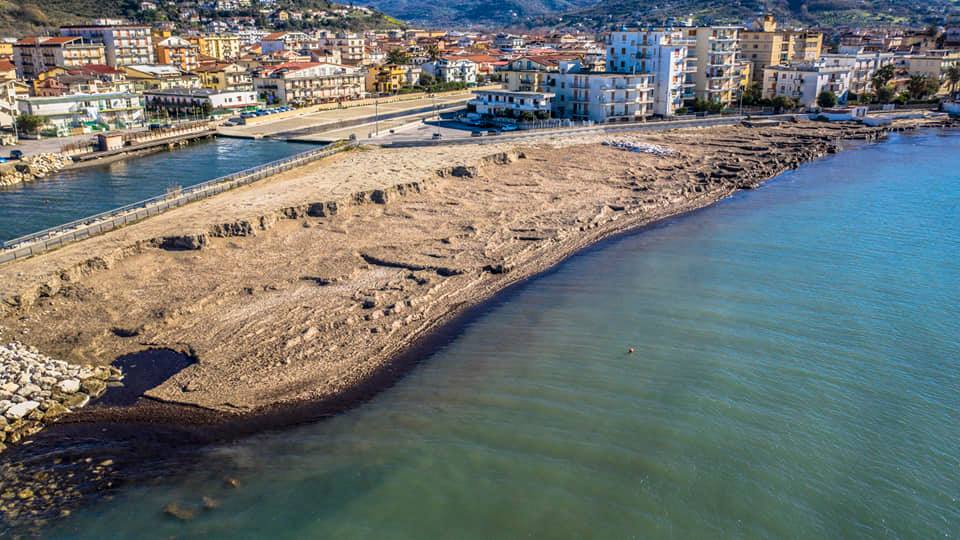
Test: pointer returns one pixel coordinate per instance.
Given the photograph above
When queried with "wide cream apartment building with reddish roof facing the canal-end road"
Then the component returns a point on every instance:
(309, 83)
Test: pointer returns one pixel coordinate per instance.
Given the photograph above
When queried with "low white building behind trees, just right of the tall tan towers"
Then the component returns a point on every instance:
(805, 82)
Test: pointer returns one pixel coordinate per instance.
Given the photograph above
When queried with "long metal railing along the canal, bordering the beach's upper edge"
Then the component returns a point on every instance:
(54, 237)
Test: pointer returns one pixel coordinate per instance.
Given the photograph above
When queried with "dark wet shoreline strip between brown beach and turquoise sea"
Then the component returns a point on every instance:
(411, 348)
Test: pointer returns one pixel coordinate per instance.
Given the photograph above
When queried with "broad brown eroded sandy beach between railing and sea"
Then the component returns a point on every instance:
(303, 287)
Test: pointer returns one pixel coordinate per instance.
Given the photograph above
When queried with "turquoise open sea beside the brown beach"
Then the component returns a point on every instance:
(796, 375)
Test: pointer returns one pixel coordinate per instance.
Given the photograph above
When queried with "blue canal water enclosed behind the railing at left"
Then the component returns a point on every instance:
(78, 193)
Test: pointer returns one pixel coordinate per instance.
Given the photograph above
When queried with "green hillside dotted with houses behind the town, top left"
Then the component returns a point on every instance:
(27, 17)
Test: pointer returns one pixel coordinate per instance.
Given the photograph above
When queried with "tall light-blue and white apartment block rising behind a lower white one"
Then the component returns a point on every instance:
(662, 53)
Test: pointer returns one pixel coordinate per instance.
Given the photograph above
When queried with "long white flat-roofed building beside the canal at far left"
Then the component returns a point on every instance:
(82, 112)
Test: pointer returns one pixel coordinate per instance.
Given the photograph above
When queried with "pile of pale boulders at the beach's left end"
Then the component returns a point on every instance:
(36, 390)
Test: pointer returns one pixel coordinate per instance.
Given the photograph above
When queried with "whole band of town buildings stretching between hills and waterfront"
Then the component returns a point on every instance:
(114, 74)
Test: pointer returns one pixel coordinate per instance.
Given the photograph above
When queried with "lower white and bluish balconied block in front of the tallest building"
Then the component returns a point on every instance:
(600, 97)
